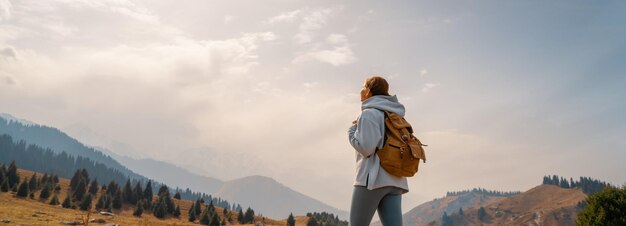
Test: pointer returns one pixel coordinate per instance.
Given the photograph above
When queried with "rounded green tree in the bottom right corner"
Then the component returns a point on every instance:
(607, 207)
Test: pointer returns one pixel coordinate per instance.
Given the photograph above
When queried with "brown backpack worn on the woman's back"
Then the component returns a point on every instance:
(402, 151)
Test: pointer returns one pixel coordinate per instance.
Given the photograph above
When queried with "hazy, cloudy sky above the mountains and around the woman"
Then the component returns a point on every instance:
(503, 92)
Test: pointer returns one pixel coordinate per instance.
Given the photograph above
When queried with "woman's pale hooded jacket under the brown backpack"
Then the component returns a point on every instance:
(366, 136)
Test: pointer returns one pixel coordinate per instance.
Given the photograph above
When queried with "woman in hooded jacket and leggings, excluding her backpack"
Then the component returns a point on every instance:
(374, 188)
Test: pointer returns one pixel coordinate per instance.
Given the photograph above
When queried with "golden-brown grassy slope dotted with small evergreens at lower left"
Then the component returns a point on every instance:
(26, 211)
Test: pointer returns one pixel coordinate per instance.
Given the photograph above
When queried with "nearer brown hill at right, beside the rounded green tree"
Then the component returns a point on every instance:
(541, 205)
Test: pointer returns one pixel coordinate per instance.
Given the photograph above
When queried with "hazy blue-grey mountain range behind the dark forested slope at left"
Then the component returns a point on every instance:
(265, 195)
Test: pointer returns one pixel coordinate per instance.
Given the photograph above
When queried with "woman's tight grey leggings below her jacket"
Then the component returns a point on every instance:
(386, 199)
